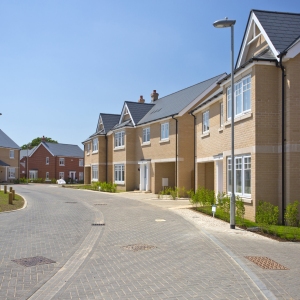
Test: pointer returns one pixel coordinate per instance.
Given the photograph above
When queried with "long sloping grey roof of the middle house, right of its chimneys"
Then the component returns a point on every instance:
(174, 103)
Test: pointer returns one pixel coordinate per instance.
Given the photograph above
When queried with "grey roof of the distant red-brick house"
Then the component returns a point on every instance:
(66, 150)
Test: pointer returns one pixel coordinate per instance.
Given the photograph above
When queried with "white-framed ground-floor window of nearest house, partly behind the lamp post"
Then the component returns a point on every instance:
(242, 175)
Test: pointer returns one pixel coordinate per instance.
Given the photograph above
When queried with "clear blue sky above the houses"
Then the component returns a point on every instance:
(64, 62)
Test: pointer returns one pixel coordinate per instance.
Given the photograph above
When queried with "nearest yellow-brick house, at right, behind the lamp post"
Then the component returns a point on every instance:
(266, 120)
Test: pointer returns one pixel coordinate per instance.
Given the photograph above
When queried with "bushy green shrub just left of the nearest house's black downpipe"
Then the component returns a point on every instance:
(267, 213)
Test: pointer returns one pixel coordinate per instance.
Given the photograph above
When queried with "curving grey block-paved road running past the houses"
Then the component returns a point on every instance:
(142, 252)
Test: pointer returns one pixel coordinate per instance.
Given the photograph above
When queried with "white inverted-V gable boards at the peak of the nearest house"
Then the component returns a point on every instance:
(254, 19)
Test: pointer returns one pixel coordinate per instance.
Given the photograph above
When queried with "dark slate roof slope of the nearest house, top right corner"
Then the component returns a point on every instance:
(281, 27)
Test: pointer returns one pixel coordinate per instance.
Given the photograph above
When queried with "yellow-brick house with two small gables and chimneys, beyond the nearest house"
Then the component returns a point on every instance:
(151, 145)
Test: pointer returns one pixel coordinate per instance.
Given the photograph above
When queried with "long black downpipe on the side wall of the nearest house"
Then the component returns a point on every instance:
(282, 136)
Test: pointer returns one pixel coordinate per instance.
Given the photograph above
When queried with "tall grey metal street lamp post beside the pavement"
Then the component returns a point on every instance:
(224, 24)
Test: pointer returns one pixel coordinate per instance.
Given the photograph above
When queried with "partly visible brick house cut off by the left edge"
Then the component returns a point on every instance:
(9, 158)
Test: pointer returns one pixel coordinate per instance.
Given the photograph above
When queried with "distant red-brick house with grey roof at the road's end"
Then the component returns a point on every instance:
(54, 161)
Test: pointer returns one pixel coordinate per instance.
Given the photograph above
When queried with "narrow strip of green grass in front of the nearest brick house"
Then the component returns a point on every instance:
(278, 232)
